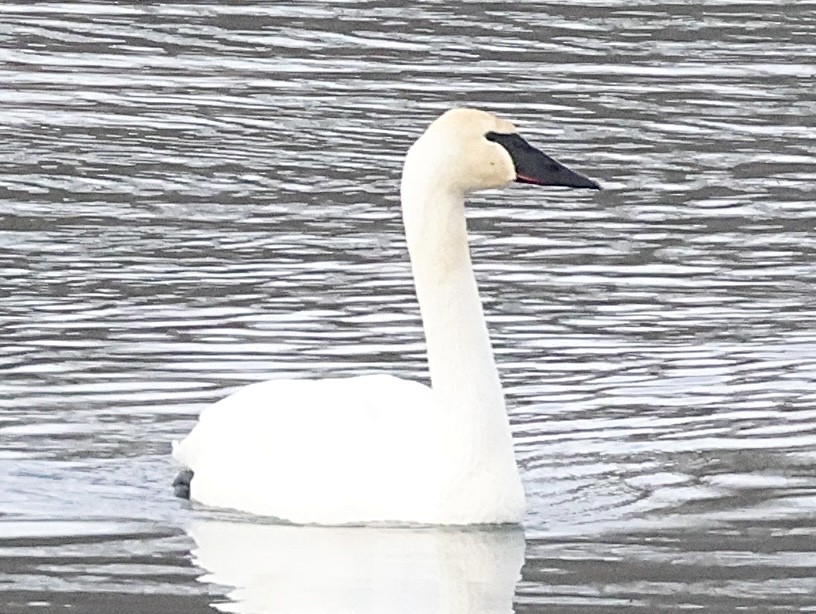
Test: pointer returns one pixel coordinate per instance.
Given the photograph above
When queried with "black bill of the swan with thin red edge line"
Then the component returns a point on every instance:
(536, 167)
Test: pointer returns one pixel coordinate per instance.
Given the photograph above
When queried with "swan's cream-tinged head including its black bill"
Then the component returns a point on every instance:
(467, 150)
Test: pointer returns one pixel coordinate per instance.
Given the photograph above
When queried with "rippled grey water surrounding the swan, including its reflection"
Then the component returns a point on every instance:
(198, 196)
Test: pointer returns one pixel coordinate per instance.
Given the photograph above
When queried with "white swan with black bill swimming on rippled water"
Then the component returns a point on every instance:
(377, 448)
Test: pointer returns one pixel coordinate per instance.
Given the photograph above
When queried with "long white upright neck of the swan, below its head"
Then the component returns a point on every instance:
(464, 378)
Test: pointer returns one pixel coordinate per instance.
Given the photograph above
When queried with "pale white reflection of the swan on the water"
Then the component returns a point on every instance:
(285, 568)
